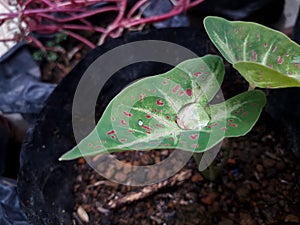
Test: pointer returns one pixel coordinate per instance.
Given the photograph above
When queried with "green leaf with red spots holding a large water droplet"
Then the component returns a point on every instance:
(173, 110)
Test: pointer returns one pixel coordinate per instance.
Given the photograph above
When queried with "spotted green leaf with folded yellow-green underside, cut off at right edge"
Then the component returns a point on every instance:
(266, 58)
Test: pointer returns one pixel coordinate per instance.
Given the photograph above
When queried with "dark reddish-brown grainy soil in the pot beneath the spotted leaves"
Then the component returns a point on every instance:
(260, 184)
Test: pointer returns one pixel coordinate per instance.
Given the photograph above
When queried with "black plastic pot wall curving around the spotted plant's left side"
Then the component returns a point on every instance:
(45, 185)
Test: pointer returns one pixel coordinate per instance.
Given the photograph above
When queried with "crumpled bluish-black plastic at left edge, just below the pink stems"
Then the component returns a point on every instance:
(21, 91)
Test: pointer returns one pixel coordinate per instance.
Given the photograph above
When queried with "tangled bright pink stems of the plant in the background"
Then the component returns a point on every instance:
(71, 17)
